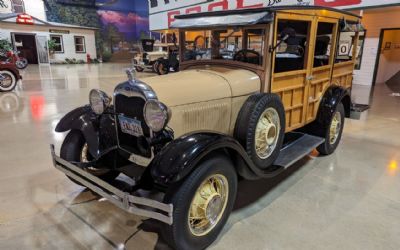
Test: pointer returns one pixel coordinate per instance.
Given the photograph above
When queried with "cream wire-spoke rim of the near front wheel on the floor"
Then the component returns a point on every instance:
(208, 205)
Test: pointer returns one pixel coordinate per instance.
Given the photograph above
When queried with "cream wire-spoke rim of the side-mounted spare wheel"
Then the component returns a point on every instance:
(267, 133)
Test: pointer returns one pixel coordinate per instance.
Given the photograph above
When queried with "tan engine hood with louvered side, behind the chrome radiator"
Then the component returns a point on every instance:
(206, 98)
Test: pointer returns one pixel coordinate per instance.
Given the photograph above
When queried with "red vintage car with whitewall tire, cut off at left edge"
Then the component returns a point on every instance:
(9, 76)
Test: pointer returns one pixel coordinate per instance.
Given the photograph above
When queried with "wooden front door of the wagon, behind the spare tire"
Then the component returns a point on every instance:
(292, 64)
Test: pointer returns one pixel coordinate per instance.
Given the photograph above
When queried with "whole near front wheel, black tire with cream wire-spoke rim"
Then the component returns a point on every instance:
(202, 204)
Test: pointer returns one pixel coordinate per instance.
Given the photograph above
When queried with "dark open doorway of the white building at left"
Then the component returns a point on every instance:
(26, 45)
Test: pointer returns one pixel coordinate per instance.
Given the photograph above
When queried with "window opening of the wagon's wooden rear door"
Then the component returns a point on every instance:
(323, 43)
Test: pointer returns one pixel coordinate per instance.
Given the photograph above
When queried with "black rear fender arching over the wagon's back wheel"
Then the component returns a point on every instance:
(332, 97)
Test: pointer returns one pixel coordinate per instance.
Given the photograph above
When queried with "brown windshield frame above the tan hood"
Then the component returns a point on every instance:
(259, 69)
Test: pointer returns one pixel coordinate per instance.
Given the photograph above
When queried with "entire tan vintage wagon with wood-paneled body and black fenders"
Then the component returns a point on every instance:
(258, 89)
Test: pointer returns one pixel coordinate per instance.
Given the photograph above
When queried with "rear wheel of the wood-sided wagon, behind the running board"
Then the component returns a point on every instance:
(332, 132)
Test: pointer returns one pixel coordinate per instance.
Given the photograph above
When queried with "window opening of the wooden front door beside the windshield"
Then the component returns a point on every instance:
(292, 45)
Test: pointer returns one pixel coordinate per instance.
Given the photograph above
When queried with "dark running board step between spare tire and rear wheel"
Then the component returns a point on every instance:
(297, 150)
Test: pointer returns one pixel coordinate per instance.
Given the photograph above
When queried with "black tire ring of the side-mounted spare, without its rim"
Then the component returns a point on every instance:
(246, 123)
